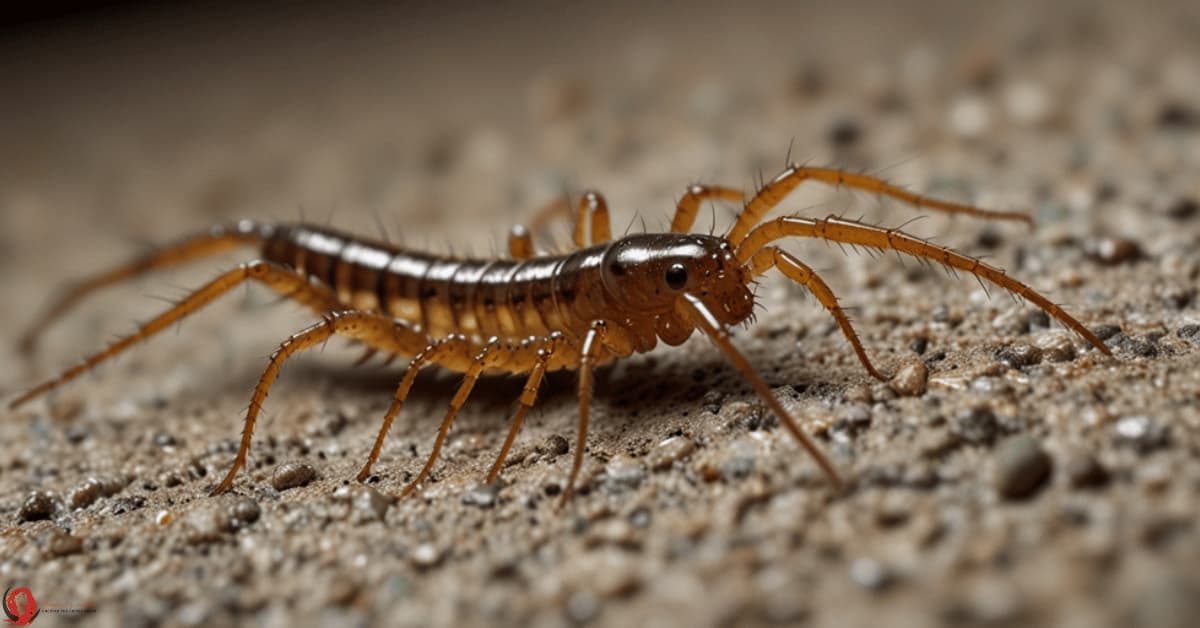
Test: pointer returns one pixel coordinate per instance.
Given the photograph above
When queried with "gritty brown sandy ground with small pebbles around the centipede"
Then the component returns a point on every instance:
(1010, 476)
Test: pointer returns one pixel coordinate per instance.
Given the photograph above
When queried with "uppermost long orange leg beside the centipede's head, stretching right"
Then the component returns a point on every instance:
(775, 192)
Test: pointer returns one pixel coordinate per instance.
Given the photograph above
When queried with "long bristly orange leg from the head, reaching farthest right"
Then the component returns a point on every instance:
(853, 232)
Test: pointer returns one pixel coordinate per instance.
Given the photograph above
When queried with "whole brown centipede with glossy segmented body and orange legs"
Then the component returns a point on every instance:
(532, 314)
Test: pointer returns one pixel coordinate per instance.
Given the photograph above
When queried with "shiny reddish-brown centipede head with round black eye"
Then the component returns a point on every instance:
(653, 272)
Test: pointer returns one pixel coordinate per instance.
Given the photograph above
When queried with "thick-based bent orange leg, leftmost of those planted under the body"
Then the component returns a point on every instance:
(371, 328)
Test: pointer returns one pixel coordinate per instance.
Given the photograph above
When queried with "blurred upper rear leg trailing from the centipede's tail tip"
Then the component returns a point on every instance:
(214, 242)
